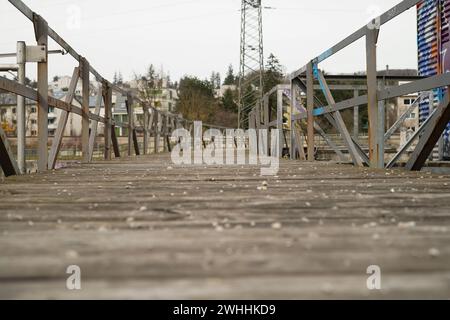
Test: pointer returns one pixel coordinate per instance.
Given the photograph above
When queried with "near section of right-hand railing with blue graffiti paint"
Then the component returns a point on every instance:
(304, 80)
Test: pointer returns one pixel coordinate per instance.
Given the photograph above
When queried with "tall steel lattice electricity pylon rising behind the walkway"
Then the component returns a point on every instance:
(251, 73)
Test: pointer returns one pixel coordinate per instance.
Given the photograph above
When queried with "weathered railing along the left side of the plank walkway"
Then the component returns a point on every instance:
(157, 123)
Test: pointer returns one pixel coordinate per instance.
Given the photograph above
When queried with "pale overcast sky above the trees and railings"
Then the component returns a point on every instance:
(196, 37)
